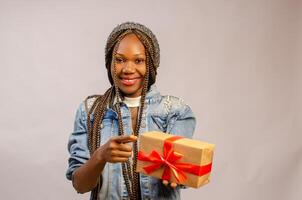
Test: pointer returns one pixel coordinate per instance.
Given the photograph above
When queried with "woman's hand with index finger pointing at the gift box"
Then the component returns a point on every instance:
(115, 150)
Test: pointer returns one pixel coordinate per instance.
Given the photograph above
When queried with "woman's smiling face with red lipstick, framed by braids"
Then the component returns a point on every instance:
(130, 64)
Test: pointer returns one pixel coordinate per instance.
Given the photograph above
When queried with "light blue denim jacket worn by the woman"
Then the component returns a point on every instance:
(161, 113)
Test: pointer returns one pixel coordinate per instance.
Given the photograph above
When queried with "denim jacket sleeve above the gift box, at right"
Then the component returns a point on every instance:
(181, 120)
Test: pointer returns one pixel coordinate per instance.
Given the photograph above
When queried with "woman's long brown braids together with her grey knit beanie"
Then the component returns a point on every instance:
(101, 102)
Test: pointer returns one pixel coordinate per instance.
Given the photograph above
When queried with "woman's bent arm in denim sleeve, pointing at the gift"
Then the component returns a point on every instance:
(85, 170)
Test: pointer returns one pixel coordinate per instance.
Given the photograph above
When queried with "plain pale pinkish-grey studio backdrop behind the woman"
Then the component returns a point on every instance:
(237, 63)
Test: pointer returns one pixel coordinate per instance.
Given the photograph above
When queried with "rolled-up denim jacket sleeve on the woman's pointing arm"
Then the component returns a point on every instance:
(77, 143)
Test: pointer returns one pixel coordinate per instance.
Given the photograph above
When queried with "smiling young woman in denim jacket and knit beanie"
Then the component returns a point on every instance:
(103, 146)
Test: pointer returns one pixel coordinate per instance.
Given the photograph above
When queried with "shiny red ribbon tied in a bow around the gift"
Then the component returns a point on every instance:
(170, 164)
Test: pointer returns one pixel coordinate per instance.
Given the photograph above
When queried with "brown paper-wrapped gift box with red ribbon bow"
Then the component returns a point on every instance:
(175, 159)
